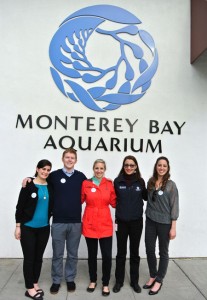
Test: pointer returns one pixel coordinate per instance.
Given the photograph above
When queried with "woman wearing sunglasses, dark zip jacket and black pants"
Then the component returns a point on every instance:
(130, 190)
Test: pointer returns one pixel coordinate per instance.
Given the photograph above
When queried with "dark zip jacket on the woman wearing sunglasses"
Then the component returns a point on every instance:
(130, 197)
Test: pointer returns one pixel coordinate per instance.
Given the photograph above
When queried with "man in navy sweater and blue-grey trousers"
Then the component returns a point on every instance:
(66, 226)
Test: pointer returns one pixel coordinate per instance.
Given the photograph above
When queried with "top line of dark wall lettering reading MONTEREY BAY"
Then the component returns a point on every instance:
(96, 124)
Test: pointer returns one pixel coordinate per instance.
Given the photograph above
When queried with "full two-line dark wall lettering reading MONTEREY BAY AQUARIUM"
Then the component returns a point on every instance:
(126, 130)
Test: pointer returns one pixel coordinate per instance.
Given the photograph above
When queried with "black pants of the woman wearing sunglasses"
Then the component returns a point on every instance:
(133, 230)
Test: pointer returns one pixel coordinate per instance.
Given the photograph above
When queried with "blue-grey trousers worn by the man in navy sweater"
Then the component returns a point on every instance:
(69, 235)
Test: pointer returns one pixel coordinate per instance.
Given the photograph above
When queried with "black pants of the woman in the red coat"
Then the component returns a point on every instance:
(106, 251)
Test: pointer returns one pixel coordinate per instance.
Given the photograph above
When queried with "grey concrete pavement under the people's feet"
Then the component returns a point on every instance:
(186, 280)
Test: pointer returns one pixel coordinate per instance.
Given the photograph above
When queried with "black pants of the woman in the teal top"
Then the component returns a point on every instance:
(33, 242)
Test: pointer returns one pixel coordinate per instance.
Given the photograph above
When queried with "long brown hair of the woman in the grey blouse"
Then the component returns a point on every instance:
(154, 178)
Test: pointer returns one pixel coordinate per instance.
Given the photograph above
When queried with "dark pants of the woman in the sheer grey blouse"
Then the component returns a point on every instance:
(153, 231)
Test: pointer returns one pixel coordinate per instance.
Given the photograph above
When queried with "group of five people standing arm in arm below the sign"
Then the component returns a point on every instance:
(61, 193)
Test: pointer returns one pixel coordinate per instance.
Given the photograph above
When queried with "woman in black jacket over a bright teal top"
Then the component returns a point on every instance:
(33, 211)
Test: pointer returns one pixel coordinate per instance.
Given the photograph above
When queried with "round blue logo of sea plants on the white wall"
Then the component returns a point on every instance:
(102, 58)
